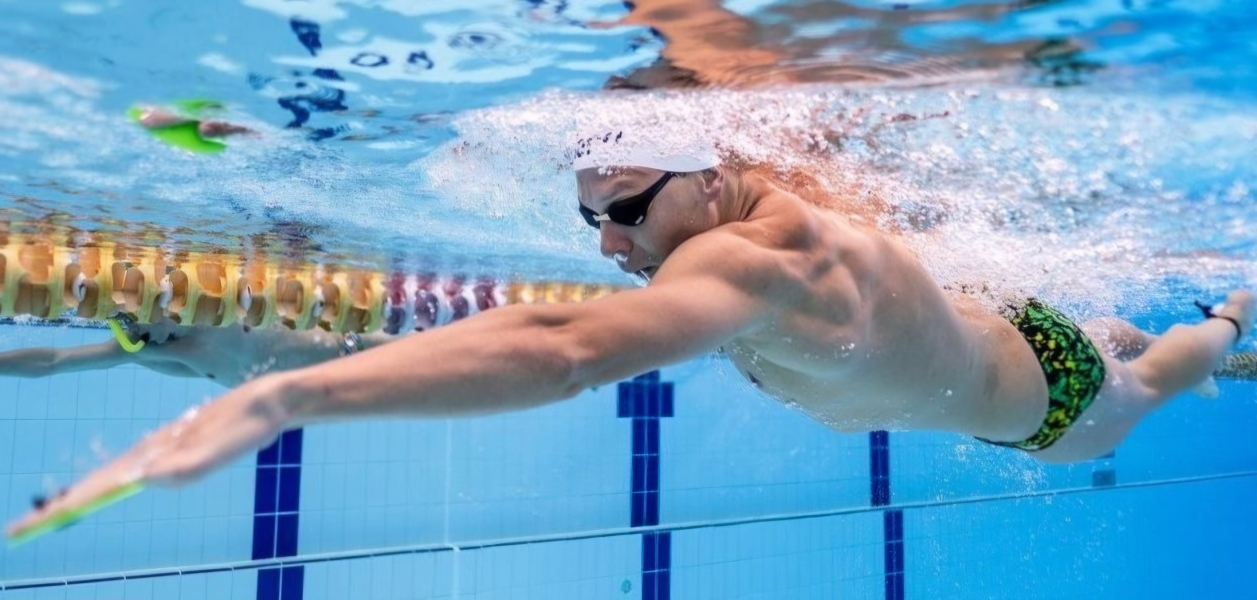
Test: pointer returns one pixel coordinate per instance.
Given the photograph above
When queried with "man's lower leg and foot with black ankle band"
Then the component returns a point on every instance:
(1188, 354)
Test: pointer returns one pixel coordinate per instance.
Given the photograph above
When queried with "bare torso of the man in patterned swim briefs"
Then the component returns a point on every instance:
(864, 339)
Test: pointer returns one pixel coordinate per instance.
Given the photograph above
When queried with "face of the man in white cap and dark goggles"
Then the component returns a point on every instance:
(684, 208)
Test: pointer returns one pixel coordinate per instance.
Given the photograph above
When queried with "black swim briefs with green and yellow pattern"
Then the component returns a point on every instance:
(1074, 369)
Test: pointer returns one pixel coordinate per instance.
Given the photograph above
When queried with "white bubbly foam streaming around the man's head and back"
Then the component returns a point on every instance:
(1083, 198)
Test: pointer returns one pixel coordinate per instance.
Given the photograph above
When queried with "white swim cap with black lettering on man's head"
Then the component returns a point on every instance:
(622, 148)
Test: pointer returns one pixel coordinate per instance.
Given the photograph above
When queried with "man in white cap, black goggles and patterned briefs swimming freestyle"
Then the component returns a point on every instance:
(821, 313)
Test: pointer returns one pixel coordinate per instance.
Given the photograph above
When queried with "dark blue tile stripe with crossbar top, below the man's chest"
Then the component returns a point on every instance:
(645, 399)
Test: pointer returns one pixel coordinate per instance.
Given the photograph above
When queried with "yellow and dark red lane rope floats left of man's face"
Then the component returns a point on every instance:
(102, 281)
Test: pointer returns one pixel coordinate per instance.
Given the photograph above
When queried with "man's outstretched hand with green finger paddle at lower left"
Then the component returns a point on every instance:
(206, 438)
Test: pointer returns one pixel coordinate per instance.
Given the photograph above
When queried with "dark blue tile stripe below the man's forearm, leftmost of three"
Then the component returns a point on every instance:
(276, 505)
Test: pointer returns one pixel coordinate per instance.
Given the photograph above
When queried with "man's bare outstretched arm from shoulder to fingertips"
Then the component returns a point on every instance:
(513, 358)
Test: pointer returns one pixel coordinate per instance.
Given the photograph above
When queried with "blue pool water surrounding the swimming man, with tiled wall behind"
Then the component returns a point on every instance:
(1098, 154)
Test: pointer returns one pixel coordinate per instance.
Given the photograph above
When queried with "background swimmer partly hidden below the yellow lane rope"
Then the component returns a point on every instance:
(227, 355)
